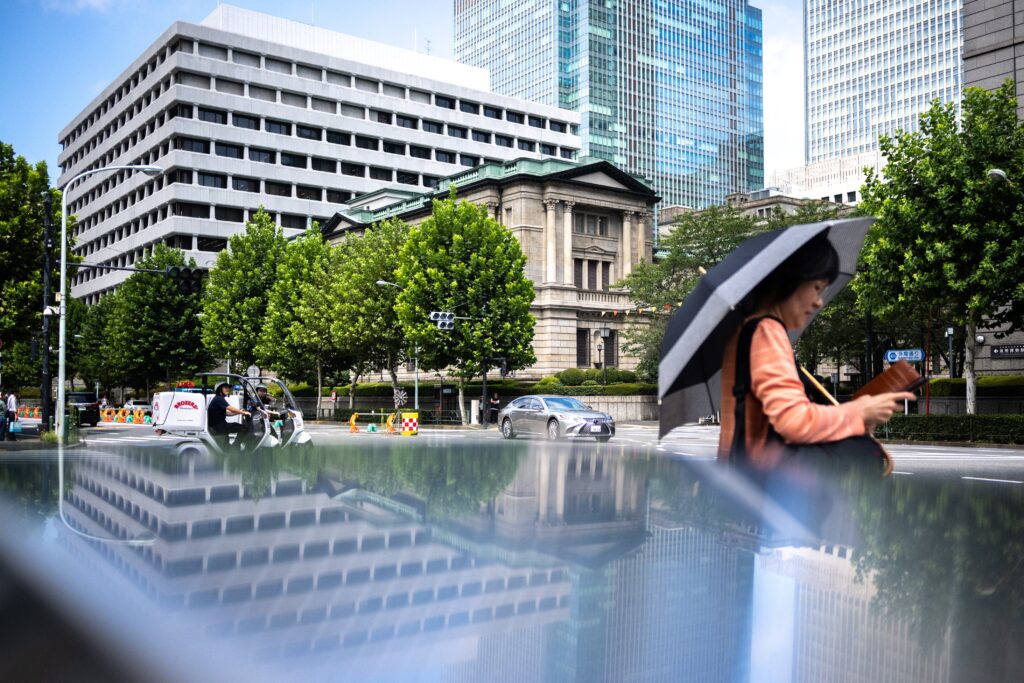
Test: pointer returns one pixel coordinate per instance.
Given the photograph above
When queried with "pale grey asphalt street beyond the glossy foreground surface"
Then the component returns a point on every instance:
(983, 465)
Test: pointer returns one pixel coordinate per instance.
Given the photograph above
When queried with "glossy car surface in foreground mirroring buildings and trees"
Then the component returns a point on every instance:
(423, 562)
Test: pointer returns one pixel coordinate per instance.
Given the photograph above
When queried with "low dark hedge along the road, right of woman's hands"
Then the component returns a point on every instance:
(984, 429)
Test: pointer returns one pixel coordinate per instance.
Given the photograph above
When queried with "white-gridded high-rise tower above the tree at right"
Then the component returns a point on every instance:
(872, 67)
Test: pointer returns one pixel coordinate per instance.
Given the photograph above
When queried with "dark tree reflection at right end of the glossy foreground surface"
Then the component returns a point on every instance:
(949, 557)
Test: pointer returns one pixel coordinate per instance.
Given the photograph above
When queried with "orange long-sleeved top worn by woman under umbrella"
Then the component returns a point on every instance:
(778, 399)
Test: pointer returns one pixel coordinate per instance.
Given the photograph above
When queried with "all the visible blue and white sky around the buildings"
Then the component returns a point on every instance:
(59, 55)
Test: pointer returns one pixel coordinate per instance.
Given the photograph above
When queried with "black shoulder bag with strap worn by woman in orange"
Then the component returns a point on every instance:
(851, 452)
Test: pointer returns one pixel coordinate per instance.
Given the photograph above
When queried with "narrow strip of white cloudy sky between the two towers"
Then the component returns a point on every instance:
(784, 83)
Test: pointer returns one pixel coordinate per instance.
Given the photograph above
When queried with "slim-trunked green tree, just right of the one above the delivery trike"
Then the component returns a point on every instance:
(300, 336)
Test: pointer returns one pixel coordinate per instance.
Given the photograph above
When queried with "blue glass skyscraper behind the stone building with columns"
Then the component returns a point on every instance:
(667, 90)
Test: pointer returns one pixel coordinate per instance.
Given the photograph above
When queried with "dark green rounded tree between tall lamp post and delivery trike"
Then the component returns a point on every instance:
(153, 332)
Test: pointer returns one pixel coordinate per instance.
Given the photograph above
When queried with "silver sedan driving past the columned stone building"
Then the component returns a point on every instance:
(556, 417)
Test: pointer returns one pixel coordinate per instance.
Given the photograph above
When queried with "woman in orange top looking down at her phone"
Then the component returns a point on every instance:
(778, 410)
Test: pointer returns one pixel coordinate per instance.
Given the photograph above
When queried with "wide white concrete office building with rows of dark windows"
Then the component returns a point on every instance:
(246, 110)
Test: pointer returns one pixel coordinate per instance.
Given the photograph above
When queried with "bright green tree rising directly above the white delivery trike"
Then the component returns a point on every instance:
(237, 294)
